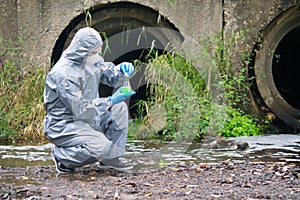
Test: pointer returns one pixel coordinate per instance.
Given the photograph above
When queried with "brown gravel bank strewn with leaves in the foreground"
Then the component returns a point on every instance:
(226, 180)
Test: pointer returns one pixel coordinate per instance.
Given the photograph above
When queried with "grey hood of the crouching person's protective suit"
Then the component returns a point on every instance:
(83, 43)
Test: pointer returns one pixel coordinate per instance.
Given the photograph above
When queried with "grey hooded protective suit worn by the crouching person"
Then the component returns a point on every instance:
(84, 127)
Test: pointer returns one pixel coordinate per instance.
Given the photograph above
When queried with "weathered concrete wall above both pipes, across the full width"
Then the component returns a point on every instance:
(40, 22)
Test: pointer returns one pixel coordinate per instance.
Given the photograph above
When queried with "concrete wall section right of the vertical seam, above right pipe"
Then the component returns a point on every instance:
(252, 17)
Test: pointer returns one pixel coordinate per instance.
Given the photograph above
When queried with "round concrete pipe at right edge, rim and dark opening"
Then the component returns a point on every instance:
(277, 67)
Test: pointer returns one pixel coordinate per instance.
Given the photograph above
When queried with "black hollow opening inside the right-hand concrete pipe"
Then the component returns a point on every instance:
(286, 69)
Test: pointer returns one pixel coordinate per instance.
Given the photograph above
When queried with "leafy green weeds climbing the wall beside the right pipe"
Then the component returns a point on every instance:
(234, 72)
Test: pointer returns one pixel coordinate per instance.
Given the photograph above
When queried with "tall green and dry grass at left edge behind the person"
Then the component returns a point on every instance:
(21, 100)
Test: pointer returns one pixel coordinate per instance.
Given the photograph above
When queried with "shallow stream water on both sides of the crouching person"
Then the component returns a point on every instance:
(153, 154)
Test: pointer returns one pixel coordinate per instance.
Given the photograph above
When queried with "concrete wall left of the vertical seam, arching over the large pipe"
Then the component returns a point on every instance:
(40, 22)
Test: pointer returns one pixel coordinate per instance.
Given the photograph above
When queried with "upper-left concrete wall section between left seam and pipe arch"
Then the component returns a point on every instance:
(40, 22)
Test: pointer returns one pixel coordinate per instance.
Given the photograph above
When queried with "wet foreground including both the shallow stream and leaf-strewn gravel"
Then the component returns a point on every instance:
(267, 169)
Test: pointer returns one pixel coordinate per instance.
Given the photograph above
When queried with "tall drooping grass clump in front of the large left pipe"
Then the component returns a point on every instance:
(178, 101)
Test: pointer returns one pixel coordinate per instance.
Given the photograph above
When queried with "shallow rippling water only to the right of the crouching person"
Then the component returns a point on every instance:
(274, 148)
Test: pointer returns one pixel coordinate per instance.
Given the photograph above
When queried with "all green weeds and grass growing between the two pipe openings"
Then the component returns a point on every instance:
(186, 103)
